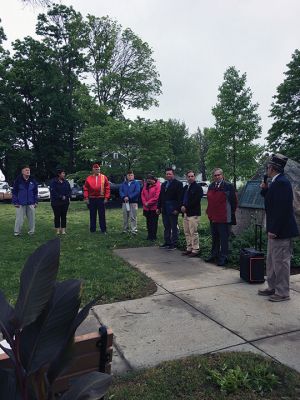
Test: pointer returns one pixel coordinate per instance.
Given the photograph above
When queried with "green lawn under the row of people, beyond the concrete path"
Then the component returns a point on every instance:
(89, 256)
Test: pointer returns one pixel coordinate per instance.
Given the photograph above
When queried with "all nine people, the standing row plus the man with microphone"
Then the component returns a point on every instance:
(170, 199)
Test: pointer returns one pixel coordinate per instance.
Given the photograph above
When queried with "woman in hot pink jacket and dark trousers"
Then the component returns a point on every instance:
(150, 194)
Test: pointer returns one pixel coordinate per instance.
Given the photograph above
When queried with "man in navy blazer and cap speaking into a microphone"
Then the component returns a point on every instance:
(281, 227)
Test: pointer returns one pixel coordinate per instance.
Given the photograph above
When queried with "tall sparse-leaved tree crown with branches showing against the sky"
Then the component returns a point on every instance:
(122, 67)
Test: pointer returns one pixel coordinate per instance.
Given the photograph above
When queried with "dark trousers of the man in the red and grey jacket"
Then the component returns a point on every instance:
(220, 236)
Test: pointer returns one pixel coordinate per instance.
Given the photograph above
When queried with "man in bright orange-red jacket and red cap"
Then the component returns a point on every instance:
(96, 194)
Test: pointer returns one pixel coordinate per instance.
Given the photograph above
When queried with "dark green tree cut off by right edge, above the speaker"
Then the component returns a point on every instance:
(284, 135)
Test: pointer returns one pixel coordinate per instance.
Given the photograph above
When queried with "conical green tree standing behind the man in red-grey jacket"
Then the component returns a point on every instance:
(237, 125)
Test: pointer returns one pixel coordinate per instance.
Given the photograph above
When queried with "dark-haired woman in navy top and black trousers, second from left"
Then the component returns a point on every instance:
(60, 192)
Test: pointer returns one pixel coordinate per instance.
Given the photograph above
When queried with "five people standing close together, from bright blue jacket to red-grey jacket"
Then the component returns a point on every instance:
(170, 199)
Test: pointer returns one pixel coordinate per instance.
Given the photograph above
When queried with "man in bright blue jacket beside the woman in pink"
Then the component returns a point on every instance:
(129, 193)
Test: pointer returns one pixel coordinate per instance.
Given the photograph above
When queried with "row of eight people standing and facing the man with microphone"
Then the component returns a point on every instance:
(170, 199)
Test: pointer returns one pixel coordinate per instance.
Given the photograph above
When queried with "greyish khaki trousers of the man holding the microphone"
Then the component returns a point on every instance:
(278, 265)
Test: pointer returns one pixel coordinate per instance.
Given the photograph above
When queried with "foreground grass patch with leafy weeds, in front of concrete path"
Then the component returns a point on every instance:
(232, 376)
